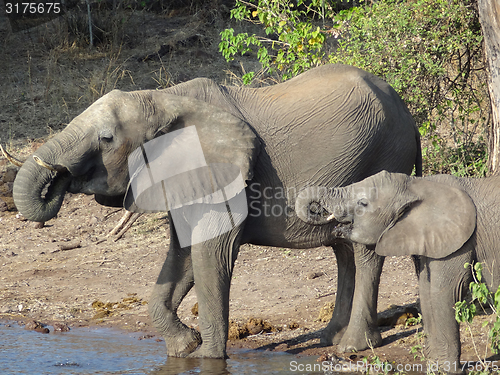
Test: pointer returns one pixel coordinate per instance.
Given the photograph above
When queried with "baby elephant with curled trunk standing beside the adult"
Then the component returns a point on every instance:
(445, 220)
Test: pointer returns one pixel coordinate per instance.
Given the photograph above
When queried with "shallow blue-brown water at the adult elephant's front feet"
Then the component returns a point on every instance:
(105, 351)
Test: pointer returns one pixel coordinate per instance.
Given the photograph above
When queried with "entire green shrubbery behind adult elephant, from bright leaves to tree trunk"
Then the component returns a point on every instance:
(429, 51)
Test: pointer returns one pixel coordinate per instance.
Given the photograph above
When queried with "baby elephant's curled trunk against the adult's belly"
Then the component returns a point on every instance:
(316, 205)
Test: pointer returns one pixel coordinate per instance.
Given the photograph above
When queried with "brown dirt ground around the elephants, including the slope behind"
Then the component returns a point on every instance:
(69, 272)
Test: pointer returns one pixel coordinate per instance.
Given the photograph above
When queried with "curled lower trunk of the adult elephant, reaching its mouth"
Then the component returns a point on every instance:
(38, 191)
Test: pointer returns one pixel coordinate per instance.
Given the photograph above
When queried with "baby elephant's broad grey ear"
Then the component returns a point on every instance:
(436, 225)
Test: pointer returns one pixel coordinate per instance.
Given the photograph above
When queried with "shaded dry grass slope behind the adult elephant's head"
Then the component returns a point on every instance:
(50, 75)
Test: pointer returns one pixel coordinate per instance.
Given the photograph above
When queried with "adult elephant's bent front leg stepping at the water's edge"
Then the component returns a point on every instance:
(174, 282)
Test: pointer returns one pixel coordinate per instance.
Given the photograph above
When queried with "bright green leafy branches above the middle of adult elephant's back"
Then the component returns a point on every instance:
(292, 43)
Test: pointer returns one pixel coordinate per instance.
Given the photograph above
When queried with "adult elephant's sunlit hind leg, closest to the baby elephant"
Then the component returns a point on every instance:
(362, 331)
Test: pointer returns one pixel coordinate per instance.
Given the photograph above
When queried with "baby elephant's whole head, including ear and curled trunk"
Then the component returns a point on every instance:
(399, 214)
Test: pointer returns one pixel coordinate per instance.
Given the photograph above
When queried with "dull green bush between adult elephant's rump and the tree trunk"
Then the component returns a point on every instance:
(431, 53)
